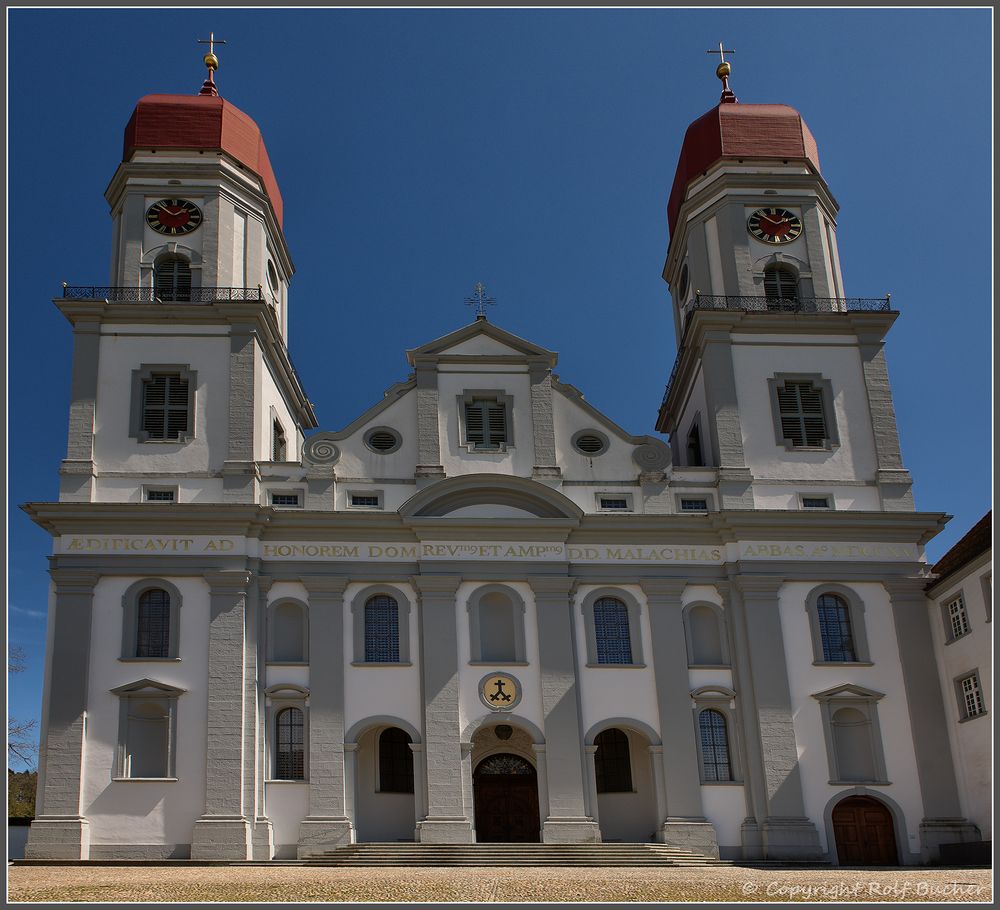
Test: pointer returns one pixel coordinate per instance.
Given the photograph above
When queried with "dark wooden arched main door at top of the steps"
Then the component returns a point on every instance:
(505, 789)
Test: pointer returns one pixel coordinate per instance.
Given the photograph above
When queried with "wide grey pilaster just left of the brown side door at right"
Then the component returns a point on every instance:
(765, 699)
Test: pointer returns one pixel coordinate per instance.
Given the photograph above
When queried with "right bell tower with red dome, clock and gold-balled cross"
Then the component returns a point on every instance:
(780, 382)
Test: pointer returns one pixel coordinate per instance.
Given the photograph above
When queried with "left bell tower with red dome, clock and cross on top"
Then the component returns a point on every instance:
(181, 362)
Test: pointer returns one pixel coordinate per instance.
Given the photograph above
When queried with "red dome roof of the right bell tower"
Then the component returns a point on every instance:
(740, 131)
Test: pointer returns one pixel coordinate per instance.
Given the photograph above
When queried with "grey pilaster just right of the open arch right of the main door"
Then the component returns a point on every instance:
(683, 823)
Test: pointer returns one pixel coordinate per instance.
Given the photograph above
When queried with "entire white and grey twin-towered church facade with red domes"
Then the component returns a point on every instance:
(483, 610)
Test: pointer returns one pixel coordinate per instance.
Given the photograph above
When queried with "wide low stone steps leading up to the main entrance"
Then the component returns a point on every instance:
(415, 854)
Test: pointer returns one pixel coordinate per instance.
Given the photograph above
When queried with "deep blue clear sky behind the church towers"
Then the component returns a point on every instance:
(420, 151)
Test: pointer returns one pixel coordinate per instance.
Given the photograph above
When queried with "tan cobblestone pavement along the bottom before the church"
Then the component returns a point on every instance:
(231, 884)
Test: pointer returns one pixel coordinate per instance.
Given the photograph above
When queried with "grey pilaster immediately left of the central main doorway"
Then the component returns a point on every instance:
(448, 820)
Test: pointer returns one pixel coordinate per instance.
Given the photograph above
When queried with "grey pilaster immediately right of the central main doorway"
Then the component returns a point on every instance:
(568, 820)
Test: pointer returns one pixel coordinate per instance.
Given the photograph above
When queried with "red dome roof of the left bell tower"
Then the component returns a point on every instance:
(201, 122)
